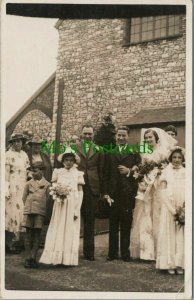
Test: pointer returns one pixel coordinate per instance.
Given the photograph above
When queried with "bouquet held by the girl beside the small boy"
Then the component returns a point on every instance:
(59, 192)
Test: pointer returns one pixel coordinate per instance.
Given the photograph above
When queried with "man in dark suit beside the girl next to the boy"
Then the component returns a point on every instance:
(91, 163)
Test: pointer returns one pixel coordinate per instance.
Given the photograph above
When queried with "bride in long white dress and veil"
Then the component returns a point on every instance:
(146, 214)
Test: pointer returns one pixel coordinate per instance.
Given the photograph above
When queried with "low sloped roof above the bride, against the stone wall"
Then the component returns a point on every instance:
(159, 115)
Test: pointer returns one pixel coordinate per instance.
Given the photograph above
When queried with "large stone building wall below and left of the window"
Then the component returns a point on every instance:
(101, 74)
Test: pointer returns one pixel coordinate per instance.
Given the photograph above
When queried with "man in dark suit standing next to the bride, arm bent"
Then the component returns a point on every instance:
(120, 188)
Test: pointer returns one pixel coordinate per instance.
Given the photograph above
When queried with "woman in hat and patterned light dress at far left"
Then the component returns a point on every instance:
(16, 165)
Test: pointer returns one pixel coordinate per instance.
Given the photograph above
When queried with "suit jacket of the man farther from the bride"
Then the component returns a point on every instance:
(91, 163)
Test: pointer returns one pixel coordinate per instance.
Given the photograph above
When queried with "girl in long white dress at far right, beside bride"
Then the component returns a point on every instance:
(170, 254)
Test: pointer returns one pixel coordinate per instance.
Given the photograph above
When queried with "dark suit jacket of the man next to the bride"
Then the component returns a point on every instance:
(119, 186)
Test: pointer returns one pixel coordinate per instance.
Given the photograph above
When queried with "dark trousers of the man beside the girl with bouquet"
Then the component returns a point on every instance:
(88, 210)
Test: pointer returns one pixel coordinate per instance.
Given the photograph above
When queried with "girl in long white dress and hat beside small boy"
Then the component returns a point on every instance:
(62, 239)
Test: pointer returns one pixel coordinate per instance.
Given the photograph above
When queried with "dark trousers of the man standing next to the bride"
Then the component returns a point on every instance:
(120, 218)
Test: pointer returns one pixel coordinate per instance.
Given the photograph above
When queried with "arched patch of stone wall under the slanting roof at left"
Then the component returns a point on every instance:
(37, 122)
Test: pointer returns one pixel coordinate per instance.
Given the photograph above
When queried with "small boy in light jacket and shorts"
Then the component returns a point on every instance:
(35, 197)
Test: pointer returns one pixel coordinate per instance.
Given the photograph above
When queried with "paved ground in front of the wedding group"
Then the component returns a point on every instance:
(100, 275)
